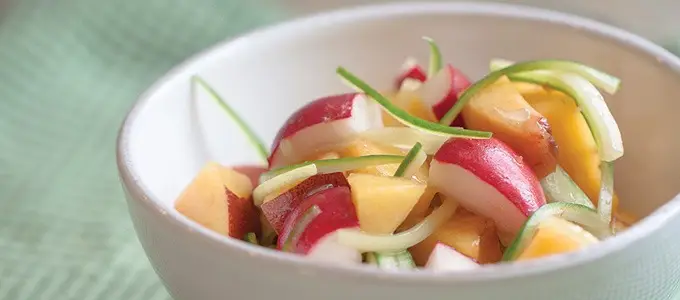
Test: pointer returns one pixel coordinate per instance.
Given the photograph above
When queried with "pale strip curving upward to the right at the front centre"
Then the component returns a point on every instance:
(403, 240)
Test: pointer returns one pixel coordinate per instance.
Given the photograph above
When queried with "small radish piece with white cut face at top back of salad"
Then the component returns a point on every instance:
(442, 90)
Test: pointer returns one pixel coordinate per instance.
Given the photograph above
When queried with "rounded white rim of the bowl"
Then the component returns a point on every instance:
(142, 195)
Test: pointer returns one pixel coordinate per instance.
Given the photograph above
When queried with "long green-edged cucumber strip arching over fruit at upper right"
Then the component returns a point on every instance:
(606, 81)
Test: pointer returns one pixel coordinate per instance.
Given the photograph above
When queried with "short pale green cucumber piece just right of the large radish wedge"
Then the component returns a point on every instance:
(559, 187)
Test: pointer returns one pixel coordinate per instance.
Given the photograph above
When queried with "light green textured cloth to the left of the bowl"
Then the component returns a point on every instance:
(69, 71)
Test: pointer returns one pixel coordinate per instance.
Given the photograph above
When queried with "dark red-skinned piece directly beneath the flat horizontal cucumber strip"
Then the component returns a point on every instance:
(277, 210)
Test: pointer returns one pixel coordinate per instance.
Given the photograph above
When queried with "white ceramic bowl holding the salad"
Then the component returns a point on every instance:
(268, 74)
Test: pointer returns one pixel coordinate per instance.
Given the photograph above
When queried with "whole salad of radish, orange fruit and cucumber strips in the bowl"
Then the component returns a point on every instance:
(439, 172)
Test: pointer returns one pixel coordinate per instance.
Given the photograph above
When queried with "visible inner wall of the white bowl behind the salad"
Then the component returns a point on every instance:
(267, 75)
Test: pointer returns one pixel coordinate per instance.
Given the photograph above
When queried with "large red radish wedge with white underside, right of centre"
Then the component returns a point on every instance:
(489, 178)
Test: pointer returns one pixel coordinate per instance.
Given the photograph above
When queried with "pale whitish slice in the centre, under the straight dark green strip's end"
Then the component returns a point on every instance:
(404, 137)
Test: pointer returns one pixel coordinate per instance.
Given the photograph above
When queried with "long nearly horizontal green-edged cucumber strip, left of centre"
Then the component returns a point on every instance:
(325, 166)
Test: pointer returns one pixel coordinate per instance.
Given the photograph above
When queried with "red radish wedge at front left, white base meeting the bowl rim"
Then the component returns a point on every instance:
(318, 238)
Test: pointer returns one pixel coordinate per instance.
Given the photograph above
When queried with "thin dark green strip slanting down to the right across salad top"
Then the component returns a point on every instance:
(406, 118)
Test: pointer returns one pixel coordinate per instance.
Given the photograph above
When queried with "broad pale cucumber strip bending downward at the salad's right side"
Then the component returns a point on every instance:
(593, 107)
